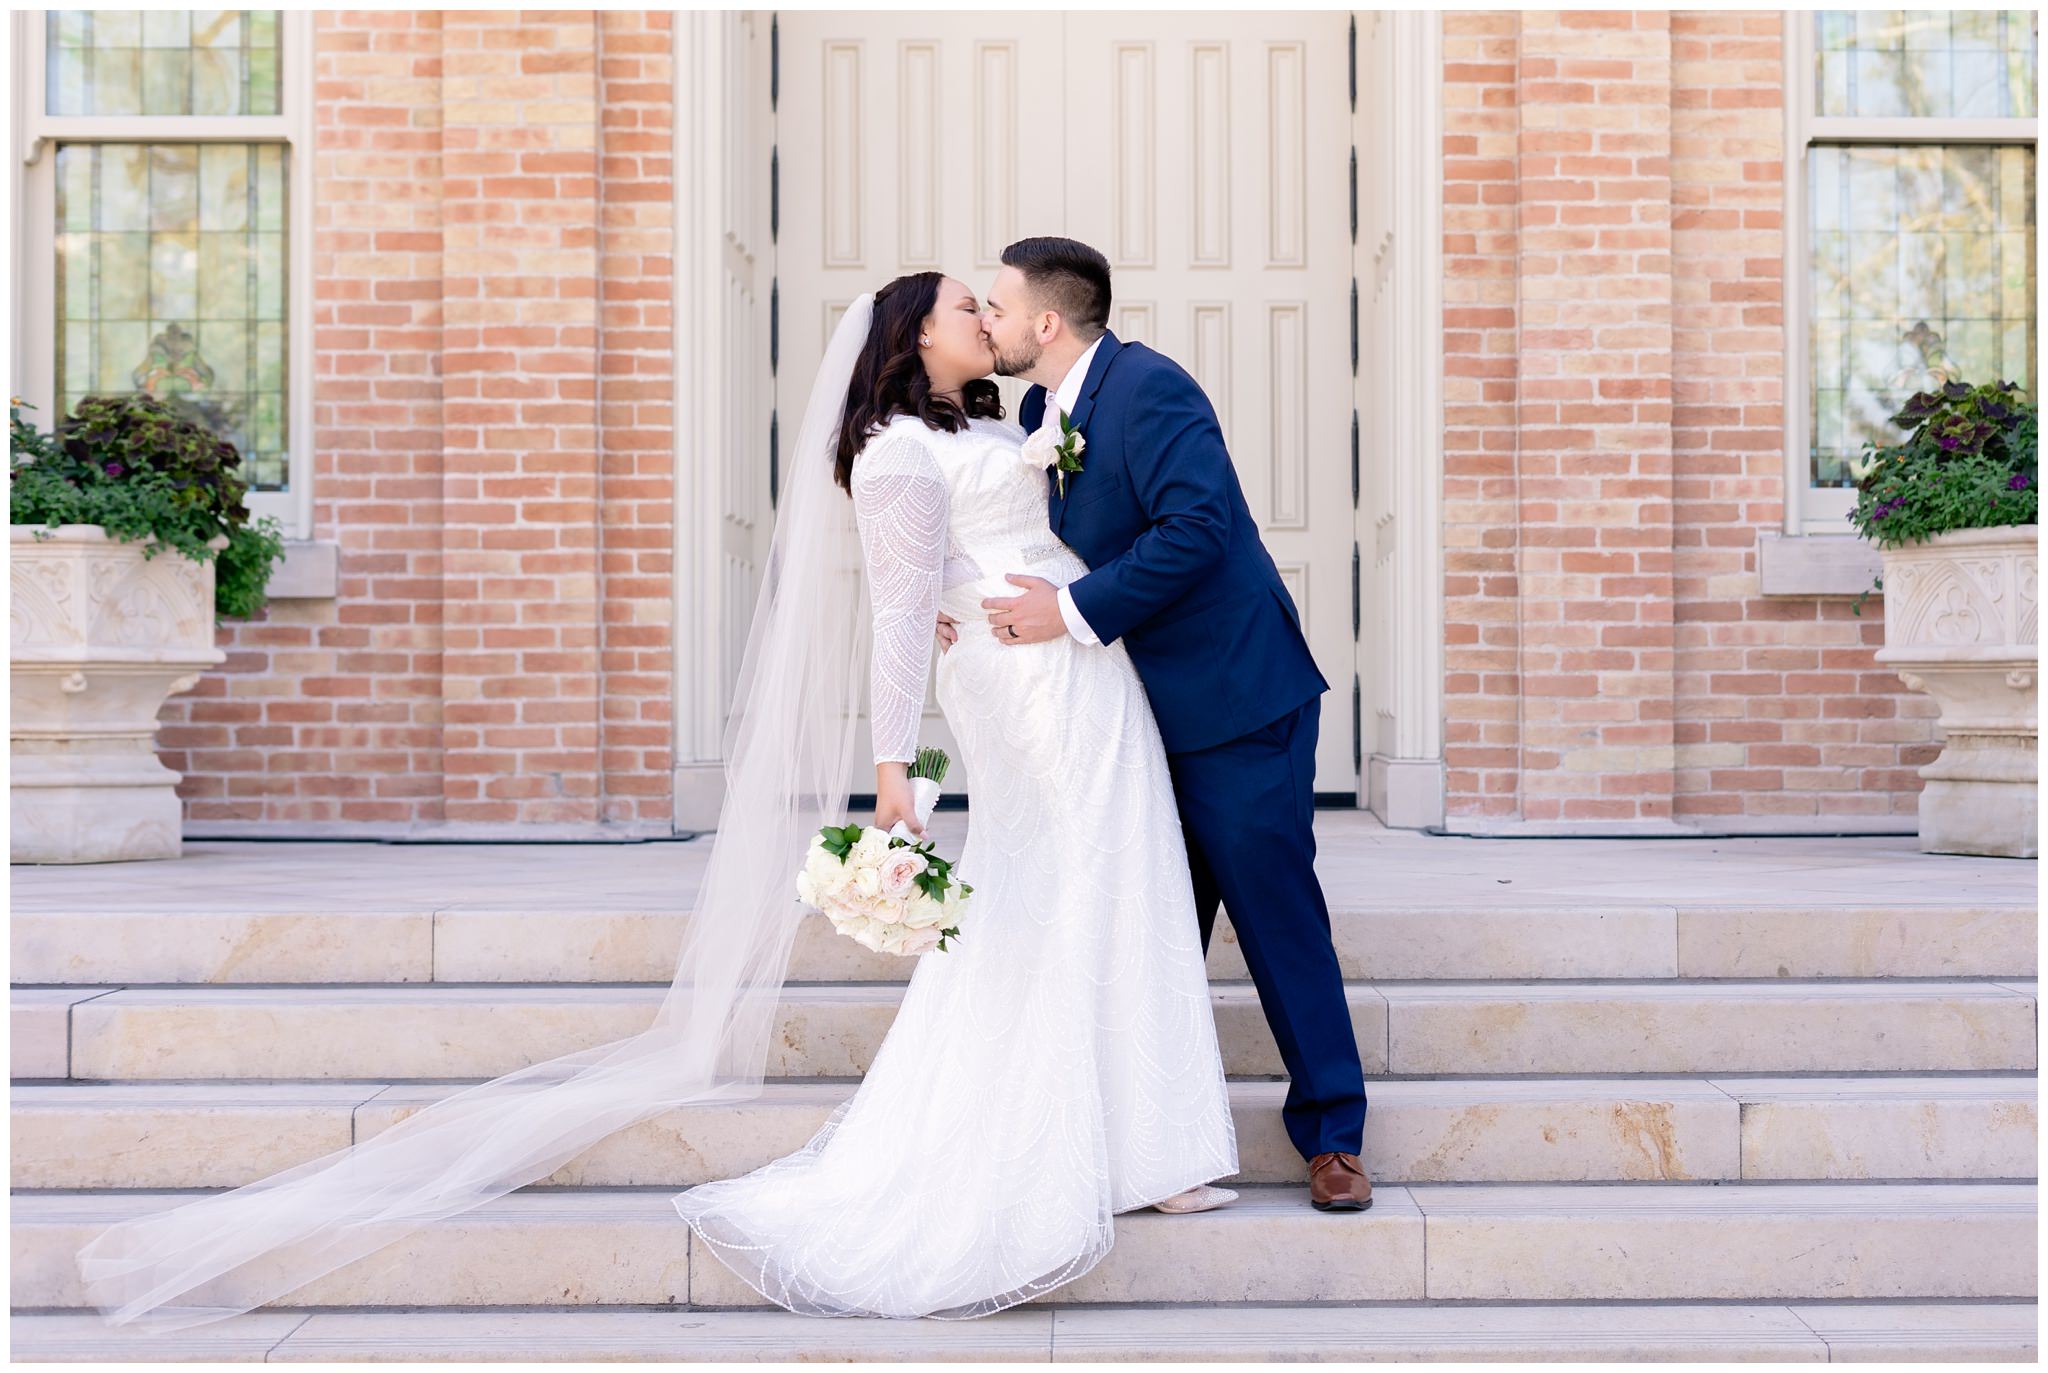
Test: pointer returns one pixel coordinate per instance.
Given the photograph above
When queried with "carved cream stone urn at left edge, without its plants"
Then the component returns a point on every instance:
(101, 638)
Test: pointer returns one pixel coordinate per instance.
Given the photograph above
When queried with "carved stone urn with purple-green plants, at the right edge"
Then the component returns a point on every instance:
(1953, 511)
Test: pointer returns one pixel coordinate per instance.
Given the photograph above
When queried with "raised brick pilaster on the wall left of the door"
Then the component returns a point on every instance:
(521, 440)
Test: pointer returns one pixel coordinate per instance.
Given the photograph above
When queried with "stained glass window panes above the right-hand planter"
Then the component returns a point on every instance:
(1920, 253)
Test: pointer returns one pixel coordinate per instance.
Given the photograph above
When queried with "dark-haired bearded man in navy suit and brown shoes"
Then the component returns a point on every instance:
(1181, 577)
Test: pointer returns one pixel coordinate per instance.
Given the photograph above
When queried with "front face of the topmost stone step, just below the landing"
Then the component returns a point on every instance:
(1375, 944)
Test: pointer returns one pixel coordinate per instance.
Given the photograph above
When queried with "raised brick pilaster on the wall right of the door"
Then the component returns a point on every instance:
(1594, 419)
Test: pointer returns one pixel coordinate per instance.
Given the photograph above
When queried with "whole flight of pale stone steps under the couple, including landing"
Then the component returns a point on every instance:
(1805, 1116)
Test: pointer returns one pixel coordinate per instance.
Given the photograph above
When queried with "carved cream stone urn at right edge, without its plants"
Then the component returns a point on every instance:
(1961, 626)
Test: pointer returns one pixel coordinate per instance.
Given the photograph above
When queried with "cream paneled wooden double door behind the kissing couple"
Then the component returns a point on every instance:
(1205, 153)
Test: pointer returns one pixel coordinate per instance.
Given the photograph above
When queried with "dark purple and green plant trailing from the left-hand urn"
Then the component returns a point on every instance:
(144, 470)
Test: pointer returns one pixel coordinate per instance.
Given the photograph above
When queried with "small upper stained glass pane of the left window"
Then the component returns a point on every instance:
(163, 63)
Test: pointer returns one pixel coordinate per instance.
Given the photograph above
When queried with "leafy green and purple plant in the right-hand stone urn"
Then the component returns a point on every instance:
(1971, 460)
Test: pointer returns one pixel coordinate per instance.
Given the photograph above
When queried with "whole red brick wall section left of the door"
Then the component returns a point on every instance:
(493, 433)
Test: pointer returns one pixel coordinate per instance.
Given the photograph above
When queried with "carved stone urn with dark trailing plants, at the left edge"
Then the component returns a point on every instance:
(128, 538)
